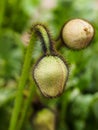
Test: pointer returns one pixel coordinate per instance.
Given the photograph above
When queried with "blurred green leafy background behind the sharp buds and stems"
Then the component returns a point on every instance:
(77, 108)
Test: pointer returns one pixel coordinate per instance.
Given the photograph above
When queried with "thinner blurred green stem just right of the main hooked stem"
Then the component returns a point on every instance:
(26, 106)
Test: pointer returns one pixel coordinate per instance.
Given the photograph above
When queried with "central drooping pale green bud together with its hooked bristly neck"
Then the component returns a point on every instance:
(51, 72)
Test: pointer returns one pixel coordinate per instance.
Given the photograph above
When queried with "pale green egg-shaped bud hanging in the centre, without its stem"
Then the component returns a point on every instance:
(50, 74)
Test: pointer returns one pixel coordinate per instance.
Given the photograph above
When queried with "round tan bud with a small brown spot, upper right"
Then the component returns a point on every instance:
(77, 34)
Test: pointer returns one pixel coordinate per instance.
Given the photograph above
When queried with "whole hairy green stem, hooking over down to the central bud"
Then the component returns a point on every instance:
(42, 32)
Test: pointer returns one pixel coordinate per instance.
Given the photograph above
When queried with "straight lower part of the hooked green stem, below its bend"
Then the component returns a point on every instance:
(23, 79)
